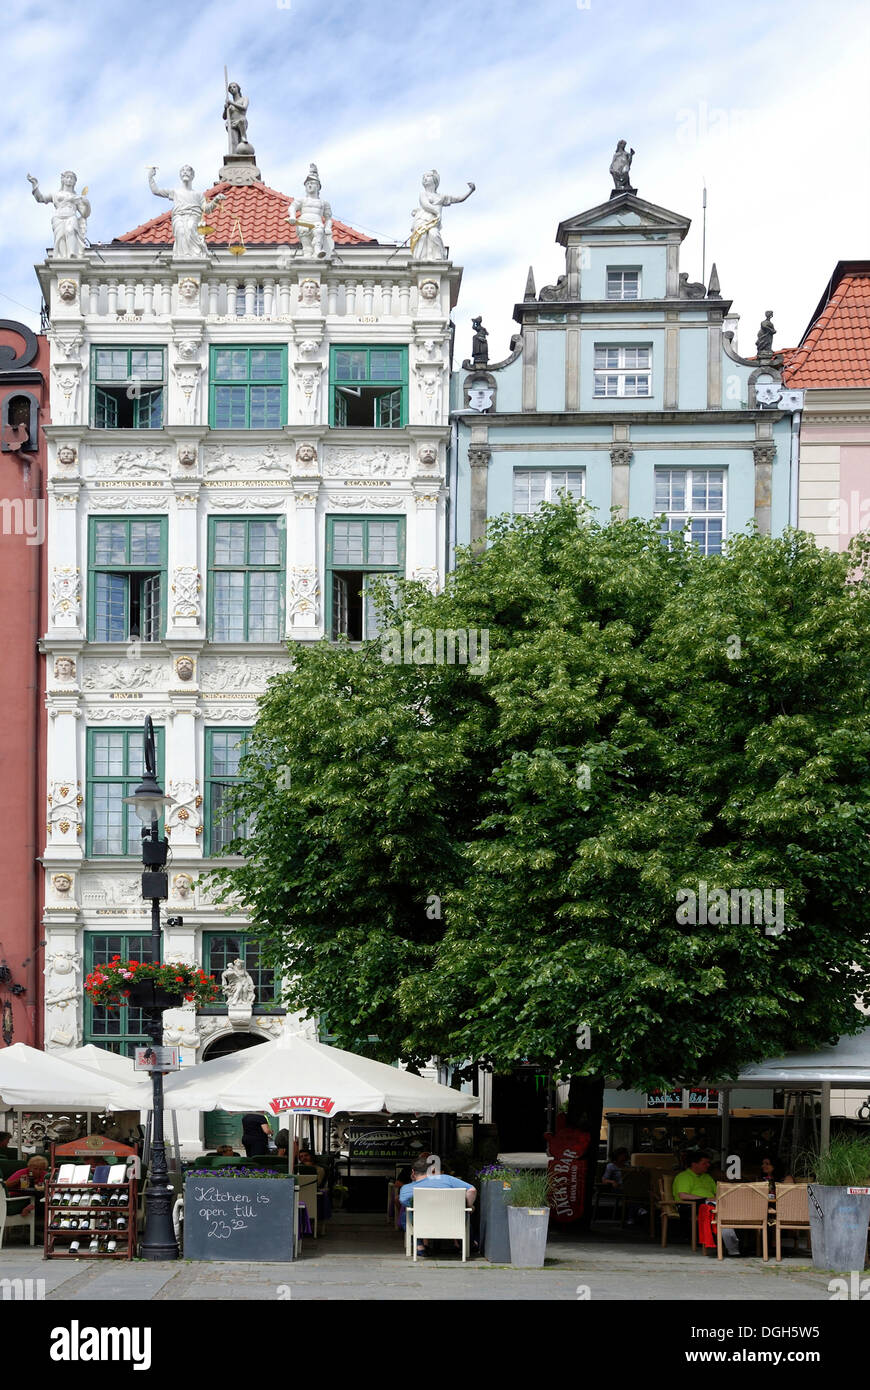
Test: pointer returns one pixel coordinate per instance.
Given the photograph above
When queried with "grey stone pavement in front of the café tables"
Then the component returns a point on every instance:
(370, 1266)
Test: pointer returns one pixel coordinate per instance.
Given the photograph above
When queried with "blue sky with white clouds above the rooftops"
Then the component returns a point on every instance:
(768, 105)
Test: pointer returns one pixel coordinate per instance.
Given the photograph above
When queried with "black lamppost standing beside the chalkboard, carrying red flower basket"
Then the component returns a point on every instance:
(159, 1239)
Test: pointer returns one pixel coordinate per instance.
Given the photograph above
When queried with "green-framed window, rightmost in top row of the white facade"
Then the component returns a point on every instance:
(368, 387)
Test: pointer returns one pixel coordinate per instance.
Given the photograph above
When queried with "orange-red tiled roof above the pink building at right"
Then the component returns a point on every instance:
(836, 348)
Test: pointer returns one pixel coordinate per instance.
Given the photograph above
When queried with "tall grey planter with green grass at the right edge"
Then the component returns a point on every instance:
(839, 1218)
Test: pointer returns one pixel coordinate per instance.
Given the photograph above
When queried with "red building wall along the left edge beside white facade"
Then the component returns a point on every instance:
(24, 411)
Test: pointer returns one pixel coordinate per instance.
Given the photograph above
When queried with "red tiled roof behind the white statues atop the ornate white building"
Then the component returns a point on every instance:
(262, 213)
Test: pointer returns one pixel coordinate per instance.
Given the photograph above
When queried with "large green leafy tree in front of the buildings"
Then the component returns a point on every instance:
(480, 860)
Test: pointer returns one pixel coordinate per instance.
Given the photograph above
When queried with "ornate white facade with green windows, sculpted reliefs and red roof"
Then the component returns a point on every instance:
(238, 443)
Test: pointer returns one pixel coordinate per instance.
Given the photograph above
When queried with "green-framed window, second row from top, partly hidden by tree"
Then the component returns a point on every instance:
(361, 550)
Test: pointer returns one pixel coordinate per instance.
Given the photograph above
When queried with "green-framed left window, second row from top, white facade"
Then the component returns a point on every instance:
(127, 566)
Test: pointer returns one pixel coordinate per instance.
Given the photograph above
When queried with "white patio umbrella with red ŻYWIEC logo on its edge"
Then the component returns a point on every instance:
(299, 1077)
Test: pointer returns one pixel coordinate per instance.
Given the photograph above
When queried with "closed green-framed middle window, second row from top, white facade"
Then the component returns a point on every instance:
(247, 579)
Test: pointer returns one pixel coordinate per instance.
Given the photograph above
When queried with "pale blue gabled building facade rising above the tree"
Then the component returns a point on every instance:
(625, 387)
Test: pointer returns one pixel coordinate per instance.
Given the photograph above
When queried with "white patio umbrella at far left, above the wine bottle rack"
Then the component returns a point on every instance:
(38, 1081)
